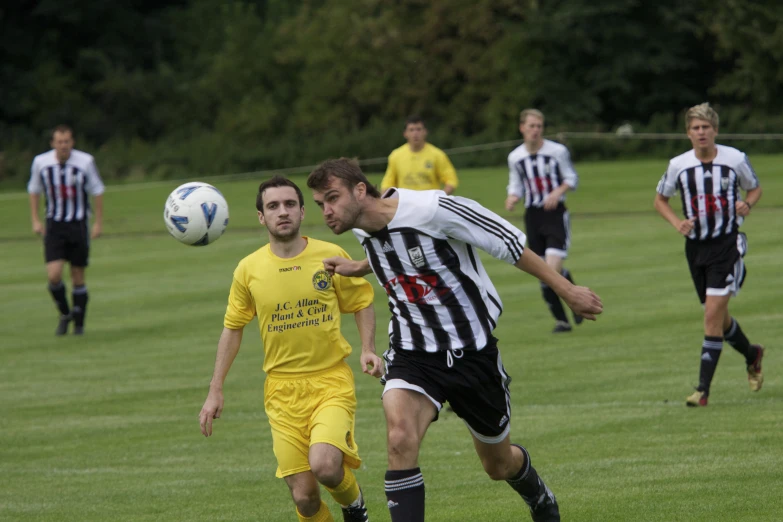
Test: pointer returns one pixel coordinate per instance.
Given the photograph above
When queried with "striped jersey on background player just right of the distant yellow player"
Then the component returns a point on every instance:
(534, 176)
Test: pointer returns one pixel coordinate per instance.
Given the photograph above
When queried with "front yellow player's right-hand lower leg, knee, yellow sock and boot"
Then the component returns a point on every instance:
(328, 467)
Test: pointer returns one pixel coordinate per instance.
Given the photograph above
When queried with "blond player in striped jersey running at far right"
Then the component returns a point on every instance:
(710, 179)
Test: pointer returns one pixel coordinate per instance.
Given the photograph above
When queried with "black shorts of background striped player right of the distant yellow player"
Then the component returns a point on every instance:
(548, 231)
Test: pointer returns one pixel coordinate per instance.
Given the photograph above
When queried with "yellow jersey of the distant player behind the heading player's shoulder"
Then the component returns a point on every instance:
(427, 169)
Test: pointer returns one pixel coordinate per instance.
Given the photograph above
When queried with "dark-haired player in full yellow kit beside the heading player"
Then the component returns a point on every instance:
(309, 392)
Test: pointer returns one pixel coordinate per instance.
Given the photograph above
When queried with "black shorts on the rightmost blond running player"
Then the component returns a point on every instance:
(716, 265)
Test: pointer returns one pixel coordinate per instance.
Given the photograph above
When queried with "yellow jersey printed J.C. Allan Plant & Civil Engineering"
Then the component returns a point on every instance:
(298, 305)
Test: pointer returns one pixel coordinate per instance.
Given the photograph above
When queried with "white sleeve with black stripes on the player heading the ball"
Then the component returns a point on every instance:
(465, 220)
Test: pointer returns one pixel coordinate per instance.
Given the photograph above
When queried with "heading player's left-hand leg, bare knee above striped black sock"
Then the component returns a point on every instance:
(408, 415)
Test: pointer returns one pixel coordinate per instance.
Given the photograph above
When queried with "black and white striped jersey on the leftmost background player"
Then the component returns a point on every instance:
(66, 186)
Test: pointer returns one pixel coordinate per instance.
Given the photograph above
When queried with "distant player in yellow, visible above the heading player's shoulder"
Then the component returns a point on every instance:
(419, 165)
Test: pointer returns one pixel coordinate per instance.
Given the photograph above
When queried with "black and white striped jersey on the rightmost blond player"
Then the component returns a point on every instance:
(710, 191)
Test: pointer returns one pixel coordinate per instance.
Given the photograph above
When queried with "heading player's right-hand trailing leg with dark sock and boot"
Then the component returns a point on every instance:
(511, 462)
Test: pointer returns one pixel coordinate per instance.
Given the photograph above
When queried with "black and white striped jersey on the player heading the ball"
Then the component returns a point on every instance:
(440, 296)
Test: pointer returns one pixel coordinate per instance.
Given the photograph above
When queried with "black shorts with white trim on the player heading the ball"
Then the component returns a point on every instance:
(475, 384)
